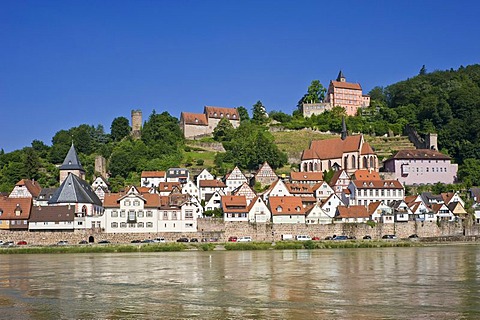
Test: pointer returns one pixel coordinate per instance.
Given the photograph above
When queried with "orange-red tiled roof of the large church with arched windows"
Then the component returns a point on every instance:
(333, 148)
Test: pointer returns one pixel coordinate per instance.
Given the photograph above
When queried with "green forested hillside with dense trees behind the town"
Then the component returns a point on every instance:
(447, 102)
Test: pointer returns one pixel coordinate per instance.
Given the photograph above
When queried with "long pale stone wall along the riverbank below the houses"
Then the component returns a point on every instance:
(220, 230)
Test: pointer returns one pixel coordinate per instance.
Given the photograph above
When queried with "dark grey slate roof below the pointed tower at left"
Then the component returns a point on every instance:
(75, 190)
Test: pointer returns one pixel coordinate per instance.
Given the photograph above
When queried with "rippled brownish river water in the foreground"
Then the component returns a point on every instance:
(440, 282)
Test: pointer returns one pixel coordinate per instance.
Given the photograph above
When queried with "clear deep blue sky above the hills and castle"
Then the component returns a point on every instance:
(64, 63)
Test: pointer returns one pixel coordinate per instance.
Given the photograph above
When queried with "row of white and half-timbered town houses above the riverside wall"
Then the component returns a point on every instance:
(173, 200)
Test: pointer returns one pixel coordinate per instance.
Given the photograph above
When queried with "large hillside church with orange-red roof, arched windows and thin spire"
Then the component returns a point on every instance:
(347, 153)
